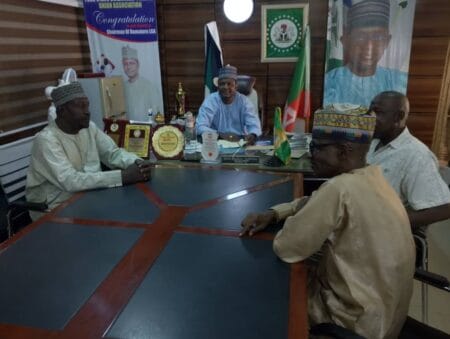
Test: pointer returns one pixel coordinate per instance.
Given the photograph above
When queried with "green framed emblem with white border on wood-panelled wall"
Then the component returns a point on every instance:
(282, 29)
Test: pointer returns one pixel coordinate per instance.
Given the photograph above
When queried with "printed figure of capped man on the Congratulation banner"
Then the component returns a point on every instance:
(140, 93)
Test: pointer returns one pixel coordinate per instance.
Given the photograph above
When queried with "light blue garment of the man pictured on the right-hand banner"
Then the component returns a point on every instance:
(342, 86)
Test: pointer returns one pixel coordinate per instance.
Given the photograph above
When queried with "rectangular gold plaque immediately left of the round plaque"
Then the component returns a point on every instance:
(137, 139)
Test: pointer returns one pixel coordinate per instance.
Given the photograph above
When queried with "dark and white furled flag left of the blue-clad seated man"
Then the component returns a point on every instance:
(213, 56)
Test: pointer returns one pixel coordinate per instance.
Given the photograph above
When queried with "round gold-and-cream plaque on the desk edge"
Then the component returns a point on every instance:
(168, 142)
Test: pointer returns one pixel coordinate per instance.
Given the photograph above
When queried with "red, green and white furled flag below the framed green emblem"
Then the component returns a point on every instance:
(298, 103)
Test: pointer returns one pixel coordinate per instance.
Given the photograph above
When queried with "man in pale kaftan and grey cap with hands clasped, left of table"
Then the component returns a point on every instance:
(66, 154)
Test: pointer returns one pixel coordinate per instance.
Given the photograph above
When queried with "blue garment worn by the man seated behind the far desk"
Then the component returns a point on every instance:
(239, 117)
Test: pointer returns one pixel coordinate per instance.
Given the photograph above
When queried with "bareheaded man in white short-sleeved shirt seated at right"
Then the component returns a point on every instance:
(408, 164)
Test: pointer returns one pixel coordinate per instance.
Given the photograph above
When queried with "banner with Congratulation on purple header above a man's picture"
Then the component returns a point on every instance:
(123, 40)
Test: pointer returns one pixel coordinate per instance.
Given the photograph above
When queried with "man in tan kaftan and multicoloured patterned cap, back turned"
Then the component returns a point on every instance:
(364, 279)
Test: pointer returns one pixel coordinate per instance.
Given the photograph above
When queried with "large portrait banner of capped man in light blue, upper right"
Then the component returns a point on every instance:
(368, 49)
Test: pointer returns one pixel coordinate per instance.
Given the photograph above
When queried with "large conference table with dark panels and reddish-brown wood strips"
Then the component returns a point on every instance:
(155, 260)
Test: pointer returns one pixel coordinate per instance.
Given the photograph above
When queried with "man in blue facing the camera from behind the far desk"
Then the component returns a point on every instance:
(229, 112)
